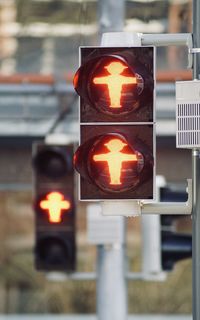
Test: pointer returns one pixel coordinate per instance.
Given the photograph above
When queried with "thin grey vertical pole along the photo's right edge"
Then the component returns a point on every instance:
(196, 180)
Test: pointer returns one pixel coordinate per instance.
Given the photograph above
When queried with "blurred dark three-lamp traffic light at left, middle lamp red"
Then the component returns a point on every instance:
(55, 247)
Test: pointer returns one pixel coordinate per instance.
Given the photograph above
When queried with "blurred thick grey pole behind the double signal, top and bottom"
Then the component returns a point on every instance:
(111, 282)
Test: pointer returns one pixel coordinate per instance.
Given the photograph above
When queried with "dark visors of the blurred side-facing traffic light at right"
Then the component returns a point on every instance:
(175, 246)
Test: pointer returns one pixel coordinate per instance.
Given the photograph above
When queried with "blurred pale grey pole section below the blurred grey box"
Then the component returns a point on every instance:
(111, 283)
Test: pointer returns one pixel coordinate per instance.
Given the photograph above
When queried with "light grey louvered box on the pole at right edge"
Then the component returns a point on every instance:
(188, 114)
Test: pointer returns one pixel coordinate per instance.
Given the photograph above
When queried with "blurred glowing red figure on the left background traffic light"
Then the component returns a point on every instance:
(55, 203)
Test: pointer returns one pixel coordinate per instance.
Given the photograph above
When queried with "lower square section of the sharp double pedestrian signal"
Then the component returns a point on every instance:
(117, 163)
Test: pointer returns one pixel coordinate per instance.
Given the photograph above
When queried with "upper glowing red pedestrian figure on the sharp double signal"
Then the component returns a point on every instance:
(115, 81)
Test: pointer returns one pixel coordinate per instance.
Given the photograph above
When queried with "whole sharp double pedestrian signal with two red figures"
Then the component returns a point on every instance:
(117, 140)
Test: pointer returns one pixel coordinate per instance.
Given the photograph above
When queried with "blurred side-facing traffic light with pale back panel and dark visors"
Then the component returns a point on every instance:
(165, 240)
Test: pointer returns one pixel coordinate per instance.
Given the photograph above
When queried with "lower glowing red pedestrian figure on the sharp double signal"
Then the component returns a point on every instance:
(115, 159)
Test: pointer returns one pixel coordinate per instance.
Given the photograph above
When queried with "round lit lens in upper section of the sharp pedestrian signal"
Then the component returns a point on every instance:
(113, 87)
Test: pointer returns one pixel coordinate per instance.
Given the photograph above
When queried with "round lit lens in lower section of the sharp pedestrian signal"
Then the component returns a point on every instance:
(114, 165)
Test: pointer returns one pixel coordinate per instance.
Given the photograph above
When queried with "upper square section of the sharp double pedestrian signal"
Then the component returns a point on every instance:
(116, 84)
